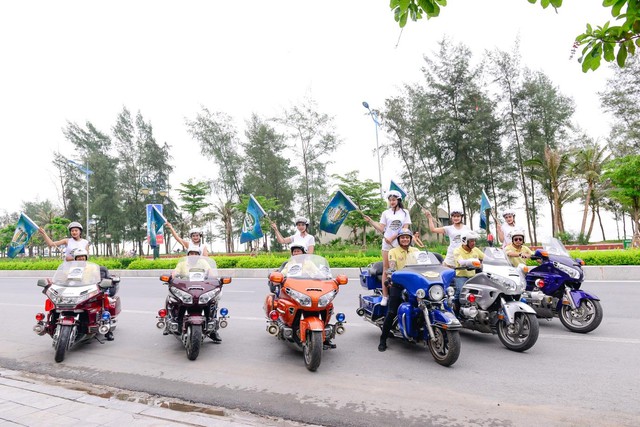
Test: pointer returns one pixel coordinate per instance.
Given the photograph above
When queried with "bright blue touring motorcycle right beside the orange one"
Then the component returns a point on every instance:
(425, 315)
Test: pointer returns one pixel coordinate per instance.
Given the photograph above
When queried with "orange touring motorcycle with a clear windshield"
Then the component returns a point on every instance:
(300, 305)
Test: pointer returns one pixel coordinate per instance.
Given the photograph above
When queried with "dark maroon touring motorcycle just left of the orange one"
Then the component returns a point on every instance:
(191, 307)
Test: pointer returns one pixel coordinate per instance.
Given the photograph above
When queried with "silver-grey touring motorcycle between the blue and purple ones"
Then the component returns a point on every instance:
(490, 303)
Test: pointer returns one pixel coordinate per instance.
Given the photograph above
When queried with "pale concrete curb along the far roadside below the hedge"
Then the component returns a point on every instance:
(604, 272)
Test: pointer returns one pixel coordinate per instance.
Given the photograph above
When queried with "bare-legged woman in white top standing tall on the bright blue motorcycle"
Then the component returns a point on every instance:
(392, 221)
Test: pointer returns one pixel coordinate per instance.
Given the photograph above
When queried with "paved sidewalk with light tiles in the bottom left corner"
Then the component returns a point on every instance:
(31, 400)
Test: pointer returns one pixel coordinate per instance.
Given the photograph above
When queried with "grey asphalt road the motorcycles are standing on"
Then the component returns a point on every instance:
(565, 379)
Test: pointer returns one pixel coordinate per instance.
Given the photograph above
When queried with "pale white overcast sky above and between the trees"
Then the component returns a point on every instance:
(79, 61)
